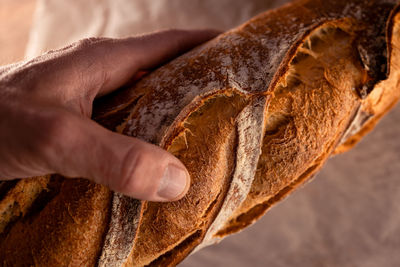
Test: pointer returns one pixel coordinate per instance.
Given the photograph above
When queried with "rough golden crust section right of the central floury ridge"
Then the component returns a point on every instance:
(310, 110)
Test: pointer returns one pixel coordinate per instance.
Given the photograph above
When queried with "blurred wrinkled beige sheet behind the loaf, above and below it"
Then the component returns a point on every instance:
(348, 216)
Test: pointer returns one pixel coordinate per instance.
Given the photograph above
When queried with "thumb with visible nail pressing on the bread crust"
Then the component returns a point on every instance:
(125, 164)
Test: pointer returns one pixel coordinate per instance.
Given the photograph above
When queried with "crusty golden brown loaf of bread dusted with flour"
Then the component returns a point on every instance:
(253, 114)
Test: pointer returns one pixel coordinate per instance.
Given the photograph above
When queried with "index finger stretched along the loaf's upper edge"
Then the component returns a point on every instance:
(97, 66)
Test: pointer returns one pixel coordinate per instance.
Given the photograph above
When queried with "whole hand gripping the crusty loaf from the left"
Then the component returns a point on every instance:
(46, 105)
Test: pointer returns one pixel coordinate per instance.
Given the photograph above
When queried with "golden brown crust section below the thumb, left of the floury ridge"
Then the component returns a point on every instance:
(68, 231)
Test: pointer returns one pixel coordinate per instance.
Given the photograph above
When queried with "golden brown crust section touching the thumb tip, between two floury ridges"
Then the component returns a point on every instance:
(208, 136)
